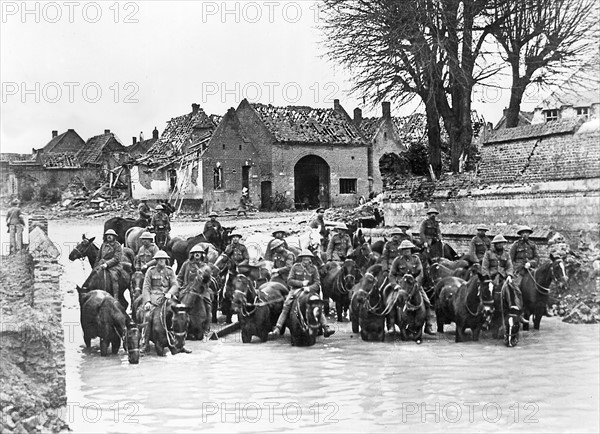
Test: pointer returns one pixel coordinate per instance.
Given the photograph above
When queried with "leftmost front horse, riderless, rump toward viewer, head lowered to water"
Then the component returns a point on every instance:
(102, 316)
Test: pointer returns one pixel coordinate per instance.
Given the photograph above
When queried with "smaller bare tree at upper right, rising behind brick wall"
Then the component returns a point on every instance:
(541, 39)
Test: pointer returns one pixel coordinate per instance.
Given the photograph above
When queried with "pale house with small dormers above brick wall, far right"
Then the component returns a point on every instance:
(578, 97)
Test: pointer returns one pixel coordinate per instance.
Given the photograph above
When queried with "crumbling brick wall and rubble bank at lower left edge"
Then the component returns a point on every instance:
(32, 359)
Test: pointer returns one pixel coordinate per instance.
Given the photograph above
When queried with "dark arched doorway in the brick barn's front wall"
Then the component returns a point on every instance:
(311, 182)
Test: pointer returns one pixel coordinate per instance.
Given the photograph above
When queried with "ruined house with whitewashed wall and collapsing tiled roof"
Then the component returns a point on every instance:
(171, 167)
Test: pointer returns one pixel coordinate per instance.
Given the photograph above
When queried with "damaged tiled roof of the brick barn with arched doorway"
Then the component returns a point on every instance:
(302, 124)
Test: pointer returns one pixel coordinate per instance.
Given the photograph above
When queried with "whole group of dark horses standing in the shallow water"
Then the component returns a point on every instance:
(359, 286)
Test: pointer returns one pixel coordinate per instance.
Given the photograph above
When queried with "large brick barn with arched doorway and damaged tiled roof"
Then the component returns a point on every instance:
(291, 154)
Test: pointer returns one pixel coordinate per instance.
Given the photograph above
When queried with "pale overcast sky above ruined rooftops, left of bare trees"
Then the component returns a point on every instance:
(131, 66)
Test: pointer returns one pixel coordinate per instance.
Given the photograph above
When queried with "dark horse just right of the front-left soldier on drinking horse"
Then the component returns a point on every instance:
(198, 296)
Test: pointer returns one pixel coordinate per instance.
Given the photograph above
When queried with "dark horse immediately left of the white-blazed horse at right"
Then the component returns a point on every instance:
(473, 306)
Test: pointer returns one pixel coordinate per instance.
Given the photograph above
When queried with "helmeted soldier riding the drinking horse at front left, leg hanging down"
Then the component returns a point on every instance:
(160, 281)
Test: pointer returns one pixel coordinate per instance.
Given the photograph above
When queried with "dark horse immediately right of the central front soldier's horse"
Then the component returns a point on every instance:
(337, 284)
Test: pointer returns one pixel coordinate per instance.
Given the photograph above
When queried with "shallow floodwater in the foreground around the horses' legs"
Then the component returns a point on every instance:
(550, 382)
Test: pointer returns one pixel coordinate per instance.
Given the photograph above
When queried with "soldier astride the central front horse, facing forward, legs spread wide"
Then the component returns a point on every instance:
(303, 276)
